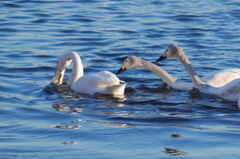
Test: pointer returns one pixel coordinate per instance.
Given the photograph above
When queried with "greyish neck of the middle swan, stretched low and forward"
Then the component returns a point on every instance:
(167, 78)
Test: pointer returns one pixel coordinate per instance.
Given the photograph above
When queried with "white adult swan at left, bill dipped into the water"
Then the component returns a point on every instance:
(103, 82)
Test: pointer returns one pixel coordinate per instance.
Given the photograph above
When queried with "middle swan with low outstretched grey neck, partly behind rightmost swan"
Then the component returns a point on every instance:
(136, 62)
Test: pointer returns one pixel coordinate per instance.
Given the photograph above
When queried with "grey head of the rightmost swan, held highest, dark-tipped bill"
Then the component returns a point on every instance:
(171, 52)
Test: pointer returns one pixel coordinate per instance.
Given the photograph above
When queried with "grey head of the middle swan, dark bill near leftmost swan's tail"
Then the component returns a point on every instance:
(128, 63)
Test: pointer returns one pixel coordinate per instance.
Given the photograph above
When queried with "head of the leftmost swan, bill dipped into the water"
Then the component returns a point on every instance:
(61, 66)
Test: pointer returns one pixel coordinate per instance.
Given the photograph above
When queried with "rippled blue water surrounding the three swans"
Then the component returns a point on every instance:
(38, 120)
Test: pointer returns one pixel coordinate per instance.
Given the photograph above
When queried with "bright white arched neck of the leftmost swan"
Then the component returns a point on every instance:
(77, 70)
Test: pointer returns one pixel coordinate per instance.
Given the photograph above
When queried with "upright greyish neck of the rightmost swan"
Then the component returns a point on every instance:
(187, 64)
